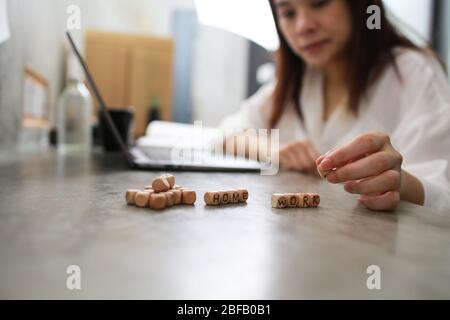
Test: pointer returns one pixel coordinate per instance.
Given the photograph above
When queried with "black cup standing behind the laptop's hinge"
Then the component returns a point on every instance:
(123, 121)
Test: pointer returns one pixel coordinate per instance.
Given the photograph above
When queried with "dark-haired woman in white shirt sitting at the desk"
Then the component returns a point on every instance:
(376, 103)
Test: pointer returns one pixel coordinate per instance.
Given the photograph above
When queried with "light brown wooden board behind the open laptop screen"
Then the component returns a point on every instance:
(130, 69)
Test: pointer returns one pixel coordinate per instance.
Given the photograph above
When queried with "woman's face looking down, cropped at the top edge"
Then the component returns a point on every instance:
(316, 30)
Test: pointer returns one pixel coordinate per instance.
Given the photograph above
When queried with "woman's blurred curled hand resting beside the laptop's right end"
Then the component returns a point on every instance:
(299, 156)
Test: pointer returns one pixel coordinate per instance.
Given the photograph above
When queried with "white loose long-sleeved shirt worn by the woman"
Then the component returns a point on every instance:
(414, 111)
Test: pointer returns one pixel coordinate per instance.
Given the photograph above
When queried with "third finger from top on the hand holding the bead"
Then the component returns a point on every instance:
(387, 181)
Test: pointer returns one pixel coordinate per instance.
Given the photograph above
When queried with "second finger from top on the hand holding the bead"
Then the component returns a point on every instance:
(371, 165)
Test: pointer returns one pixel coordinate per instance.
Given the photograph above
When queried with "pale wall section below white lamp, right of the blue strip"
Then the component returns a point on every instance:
(215, 60)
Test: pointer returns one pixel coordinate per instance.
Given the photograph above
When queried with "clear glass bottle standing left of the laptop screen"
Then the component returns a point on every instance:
(74, 113)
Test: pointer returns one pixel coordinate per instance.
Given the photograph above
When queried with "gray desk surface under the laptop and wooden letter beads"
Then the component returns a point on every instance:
(56, 212)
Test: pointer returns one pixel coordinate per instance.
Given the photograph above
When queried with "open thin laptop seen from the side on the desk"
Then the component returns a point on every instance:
(161, 158)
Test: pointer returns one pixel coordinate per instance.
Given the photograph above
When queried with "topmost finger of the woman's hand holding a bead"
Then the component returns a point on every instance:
(362, 145)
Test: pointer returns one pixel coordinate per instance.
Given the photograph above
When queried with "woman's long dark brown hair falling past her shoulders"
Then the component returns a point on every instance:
(370, 51)
